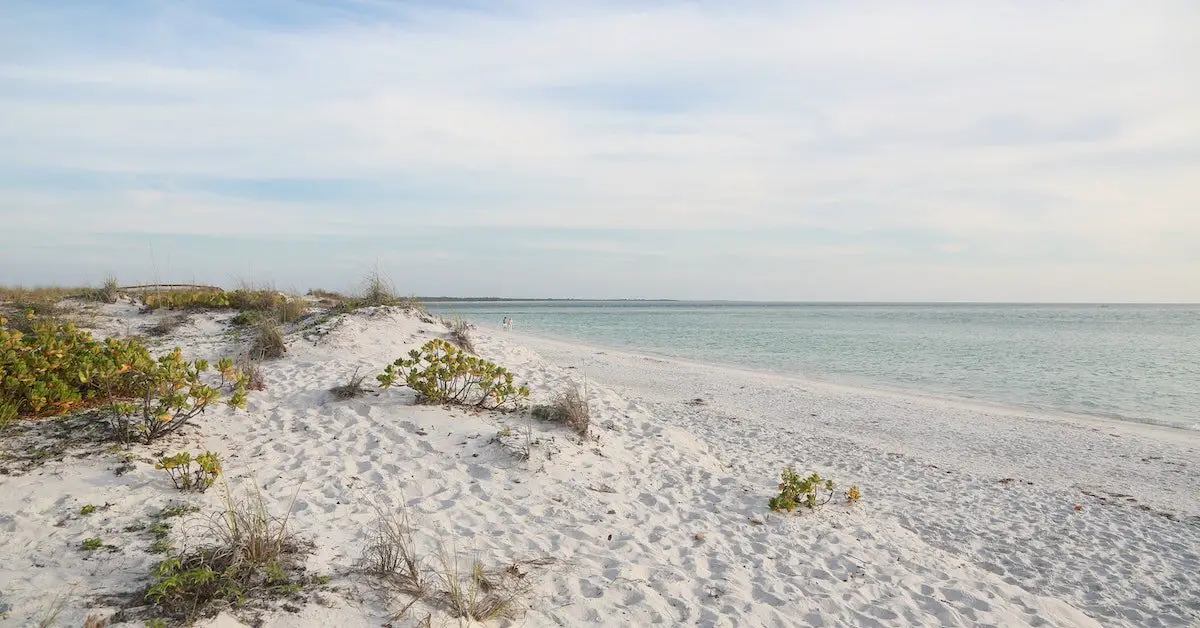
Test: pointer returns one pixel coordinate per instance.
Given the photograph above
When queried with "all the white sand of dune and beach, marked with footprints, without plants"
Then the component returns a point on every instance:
(969, 516)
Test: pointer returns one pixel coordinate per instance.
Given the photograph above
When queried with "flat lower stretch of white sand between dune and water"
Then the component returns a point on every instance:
(949, 473)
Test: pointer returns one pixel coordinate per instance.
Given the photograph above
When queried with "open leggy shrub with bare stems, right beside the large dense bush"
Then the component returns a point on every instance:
(172, 393)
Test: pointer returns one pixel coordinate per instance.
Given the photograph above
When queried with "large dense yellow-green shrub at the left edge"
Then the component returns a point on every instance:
(58, 368)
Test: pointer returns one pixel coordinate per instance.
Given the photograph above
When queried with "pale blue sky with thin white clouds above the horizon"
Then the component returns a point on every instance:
(760, 151)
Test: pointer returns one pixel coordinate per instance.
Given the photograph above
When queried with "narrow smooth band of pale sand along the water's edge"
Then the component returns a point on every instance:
(968, 404)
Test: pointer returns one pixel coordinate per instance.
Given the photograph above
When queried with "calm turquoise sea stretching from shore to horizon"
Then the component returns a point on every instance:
(1129, 362)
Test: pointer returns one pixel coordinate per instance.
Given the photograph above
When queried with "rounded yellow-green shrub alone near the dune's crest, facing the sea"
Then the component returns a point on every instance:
(442, 374)
